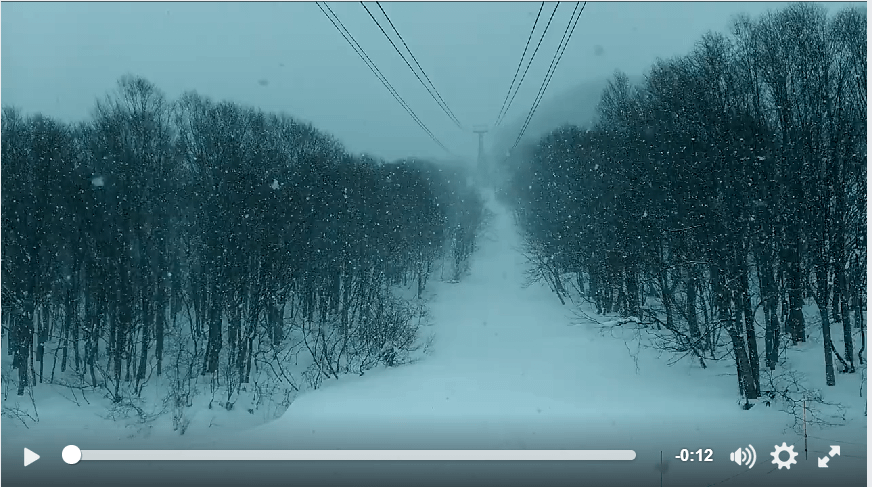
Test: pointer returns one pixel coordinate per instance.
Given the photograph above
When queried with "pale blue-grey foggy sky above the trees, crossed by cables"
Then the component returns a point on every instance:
(58, 58)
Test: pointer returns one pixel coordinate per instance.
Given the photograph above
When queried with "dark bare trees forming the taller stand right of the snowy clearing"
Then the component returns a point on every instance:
(732, 181)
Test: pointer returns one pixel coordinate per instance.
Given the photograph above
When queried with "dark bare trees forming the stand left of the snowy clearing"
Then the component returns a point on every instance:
(194, 237)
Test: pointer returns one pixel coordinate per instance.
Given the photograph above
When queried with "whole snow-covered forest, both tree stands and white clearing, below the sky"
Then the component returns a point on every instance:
(697, 256)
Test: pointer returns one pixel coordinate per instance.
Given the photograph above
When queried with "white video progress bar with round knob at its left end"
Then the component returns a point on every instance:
(72, 455)
